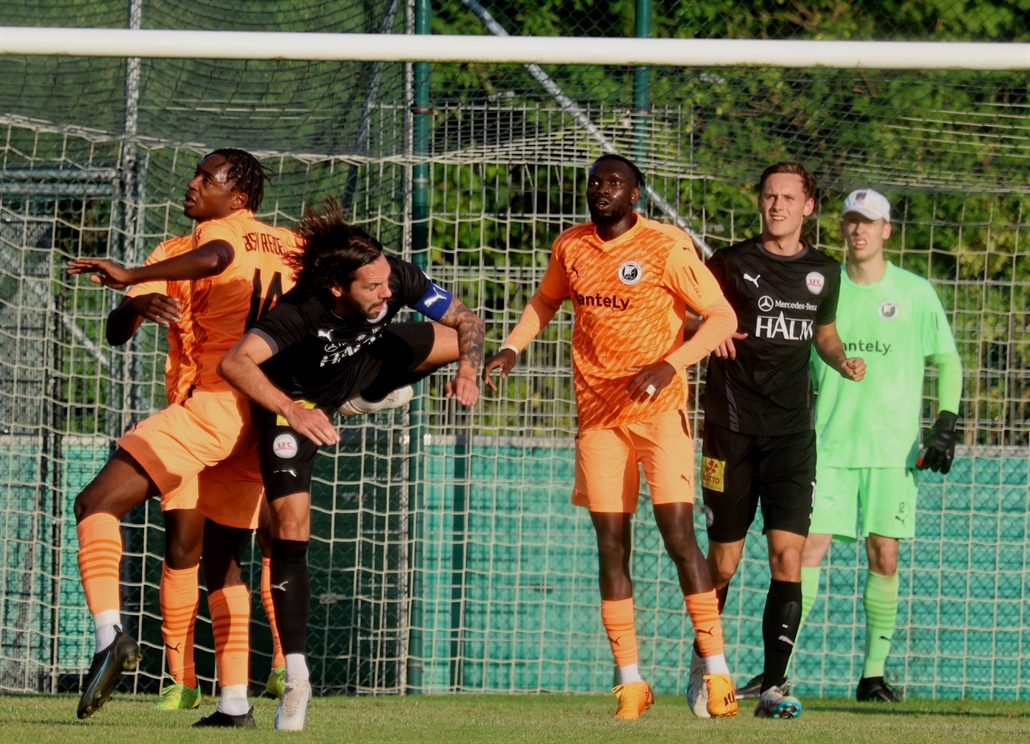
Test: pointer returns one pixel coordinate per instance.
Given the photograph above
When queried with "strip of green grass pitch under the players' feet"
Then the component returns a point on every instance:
(521, 719)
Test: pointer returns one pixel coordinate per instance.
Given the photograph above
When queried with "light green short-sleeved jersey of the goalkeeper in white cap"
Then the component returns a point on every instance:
(895, 325)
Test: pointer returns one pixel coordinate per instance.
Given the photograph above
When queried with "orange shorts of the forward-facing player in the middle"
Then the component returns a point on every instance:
(607, 475)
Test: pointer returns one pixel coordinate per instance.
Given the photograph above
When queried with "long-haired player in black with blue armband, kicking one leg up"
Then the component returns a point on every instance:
(328, 341)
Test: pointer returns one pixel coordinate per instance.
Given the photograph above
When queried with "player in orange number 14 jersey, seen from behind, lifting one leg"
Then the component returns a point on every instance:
(236, 274)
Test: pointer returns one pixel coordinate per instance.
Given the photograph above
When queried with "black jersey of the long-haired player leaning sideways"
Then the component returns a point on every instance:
(318, 354)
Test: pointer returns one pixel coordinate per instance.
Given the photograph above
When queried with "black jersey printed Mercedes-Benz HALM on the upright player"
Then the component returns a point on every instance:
(779, 301)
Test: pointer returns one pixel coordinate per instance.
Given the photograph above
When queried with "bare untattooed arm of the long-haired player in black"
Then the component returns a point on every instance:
(241, 368)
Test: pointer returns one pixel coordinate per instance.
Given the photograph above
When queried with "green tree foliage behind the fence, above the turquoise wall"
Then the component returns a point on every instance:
(948, 149)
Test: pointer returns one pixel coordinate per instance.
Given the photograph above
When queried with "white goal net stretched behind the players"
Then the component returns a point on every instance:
(445, 555)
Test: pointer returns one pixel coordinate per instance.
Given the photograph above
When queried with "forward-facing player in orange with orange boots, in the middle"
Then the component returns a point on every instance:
(631, 281)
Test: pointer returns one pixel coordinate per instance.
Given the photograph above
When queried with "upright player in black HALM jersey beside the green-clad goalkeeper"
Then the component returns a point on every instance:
(760, 439)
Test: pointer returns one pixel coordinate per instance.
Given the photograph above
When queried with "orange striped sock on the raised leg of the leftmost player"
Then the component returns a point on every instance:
(99, 557)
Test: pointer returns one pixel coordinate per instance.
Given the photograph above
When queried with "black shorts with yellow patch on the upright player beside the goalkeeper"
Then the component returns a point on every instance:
(740, 470)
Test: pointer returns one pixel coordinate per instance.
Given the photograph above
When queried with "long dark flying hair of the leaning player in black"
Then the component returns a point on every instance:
(333, 250)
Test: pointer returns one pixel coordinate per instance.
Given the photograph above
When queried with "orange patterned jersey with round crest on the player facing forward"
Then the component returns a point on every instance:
(630, 297)
